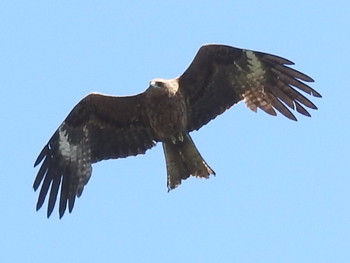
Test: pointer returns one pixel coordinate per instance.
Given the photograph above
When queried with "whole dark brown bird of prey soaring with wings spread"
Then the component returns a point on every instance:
(102, 127)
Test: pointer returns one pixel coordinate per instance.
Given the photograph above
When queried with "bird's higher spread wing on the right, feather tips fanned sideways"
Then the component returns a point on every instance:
(220, 76)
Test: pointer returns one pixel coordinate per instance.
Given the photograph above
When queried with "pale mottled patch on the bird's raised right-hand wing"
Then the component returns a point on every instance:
(255, 96)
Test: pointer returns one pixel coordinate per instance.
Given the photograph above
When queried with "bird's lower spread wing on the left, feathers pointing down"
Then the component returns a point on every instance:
(98, 128)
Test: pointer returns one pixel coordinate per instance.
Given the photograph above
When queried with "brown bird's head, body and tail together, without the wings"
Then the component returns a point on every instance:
(170, 127)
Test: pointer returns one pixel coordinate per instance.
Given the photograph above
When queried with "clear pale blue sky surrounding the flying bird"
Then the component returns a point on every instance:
(282, 190)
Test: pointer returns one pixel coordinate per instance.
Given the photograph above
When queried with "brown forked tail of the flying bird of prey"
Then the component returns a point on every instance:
(182, 160)
